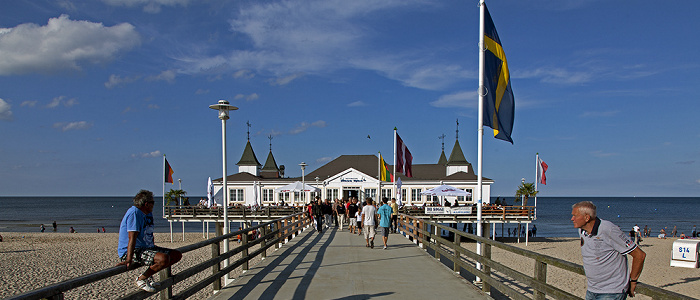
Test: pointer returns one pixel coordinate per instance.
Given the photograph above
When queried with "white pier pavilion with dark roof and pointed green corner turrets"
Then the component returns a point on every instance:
(349, 176)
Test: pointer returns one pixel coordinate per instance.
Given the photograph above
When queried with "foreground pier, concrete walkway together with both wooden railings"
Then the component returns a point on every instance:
(298, 263)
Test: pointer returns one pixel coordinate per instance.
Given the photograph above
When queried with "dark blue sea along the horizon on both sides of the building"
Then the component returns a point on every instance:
(87, 214)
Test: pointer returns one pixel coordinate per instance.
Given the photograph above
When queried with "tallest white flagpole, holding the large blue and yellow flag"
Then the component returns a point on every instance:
(480, 132)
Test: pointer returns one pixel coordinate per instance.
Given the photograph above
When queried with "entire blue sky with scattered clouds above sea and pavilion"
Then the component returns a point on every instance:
(94, 93)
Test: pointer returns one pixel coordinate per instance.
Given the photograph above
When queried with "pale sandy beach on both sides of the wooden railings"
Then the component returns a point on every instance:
(33, 260)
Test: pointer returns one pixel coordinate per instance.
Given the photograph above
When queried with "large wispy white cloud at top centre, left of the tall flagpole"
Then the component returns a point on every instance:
(319, 37)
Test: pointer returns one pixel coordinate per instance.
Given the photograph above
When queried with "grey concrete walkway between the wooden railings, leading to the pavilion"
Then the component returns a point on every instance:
(337, 265)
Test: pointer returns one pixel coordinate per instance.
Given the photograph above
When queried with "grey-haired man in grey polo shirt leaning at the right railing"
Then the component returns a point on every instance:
(604, 248)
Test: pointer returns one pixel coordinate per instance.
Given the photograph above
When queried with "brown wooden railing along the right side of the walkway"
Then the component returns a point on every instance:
(427, 235)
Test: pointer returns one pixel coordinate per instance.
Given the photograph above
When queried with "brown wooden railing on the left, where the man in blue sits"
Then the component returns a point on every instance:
(272, 234)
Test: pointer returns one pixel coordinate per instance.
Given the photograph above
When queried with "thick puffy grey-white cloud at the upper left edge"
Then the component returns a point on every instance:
(62, 44)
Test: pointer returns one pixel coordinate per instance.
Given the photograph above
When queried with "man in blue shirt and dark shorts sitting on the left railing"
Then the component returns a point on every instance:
(136, 244)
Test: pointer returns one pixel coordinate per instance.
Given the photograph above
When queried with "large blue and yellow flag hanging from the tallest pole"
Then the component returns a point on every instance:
(499, 104)
